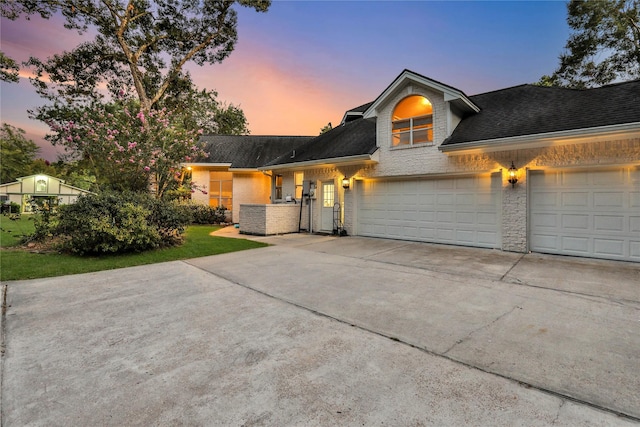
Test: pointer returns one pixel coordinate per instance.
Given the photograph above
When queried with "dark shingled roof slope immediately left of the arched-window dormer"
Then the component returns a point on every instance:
(350, 139)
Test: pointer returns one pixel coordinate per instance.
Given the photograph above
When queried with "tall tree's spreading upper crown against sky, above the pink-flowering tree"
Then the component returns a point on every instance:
(140, 45)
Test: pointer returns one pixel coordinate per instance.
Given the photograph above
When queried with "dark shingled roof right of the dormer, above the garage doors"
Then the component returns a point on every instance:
(529, 110)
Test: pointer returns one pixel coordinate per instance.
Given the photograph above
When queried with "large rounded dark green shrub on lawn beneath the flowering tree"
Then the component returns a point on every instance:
(120, 222)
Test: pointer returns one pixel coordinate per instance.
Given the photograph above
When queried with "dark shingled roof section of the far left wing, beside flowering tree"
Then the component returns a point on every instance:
(248, 151)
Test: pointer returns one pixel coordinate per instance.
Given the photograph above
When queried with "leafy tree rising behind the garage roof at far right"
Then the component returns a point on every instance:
(604, 45)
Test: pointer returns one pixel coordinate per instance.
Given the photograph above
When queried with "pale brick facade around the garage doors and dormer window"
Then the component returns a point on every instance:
(424, 162)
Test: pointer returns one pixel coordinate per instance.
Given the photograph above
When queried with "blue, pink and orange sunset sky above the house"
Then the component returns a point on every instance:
(303, 63)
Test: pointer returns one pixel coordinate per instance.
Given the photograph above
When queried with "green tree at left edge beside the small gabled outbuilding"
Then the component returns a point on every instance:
(16, 153)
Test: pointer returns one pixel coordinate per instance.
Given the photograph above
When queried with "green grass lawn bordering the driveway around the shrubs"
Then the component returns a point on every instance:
(17, 264)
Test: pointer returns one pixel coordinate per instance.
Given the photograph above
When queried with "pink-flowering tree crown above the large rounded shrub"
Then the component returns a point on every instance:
(129, 150)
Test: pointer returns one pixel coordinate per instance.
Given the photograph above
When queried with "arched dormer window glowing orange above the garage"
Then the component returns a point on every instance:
(412, 122)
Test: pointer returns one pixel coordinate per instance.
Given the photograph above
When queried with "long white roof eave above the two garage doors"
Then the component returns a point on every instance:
(574, 136)
